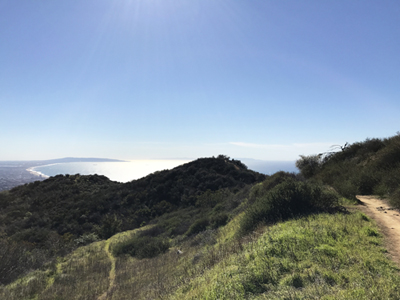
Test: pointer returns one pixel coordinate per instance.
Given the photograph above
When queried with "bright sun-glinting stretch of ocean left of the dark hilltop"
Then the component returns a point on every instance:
(116, 171)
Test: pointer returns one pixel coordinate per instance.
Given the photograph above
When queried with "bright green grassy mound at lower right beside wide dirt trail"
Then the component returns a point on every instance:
(318, 257)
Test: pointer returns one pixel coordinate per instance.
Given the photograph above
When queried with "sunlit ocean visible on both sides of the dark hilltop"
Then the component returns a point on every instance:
(135, 169)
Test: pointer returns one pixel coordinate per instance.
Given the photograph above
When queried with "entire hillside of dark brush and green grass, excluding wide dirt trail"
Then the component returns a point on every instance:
(209, 229)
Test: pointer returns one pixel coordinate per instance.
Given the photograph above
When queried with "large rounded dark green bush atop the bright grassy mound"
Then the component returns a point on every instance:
(288, 199)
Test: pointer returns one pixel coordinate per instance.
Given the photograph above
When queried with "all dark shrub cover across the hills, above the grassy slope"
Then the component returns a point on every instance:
(42, 220)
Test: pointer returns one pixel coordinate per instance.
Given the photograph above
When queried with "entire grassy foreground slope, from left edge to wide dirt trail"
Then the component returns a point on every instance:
(324, 256)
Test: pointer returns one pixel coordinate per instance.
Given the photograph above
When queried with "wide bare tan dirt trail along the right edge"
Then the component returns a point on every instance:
(388, 219)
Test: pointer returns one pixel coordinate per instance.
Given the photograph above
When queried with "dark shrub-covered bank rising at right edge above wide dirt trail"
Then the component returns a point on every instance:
(362, 168)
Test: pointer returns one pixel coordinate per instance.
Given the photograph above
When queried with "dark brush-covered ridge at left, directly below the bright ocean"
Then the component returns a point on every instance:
(50, 218)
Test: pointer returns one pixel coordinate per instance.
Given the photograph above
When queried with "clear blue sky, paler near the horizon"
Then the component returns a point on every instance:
(139, 79)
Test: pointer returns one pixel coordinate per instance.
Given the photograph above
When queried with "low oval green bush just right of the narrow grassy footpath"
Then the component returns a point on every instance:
(142, 247)
